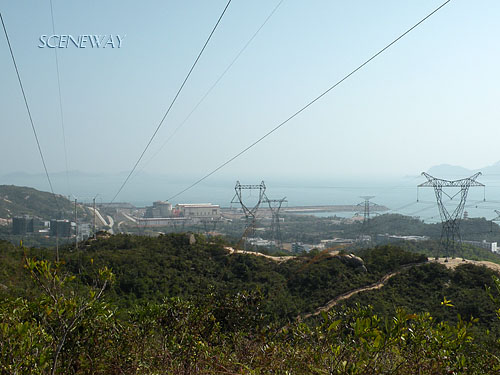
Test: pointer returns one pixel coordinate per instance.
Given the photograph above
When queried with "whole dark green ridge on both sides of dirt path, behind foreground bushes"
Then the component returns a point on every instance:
(149, 269)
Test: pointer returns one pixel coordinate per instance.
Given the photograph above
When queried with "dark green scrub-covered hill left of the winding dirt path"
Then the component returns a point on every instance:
(150, 269)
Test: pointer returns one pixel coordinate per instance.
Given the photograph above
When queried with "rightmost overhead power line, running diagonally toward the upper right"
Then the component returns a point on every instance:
(373, 57)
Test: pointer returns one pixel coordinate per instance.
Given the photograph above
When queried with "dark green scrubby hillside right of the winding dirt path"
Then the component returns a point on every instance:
(422, 289)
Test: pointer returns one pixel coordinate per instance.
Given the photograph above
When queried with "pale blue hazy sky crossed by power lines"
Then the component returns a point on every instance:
(431, 99)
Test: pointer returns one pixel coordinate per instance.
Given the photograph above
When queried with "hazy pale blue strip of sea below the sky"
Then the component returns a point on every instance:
(398, 194)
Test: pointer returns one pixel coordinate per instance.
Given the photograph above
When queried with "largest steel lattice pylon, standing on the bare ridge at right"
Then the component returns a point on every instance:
(451, 239)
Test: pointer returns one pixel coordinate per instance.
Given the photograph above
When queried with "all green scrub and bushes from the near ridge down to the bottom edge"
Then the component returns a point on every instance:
(139, 305)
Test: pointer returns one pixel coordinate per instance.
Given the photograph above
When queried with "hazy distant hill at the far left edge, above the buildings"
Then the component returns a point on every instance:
(19, 200)
